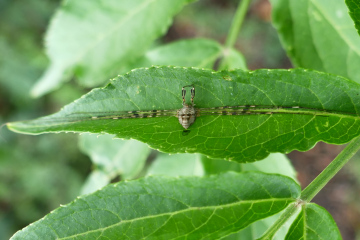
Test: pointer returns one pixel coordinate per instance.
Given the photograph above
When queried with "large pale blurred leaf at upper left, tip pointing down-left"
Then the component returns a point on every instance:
(93, 39)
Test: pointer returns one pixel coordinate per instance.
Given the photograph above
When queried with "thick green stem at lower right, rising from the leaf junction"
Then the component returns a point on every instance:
(328, 173)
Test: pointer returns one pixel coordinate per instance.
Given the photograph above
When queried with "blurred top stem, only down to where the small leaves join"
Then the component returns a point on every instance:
(236, 23)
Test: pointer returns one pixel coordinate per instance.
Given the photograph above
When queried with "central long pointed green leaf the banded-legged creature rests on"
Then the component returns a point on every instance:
(329, 107)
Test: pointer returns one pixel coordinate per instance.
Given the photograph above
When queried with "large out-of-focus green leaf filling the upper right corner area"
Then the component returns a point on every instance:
(319, 34)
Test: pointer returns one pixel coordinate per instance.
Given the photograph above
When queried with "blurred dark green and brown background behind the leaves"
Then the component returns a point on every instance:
(38, 173)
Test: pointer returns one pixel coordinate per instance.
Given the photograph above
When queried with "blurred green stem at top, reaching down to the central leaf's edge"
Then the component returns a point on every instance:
(234, 30)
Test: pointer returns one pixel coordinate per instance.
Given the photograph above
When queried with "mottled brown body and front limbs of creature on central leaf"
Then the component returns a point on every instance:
(187, 114)
